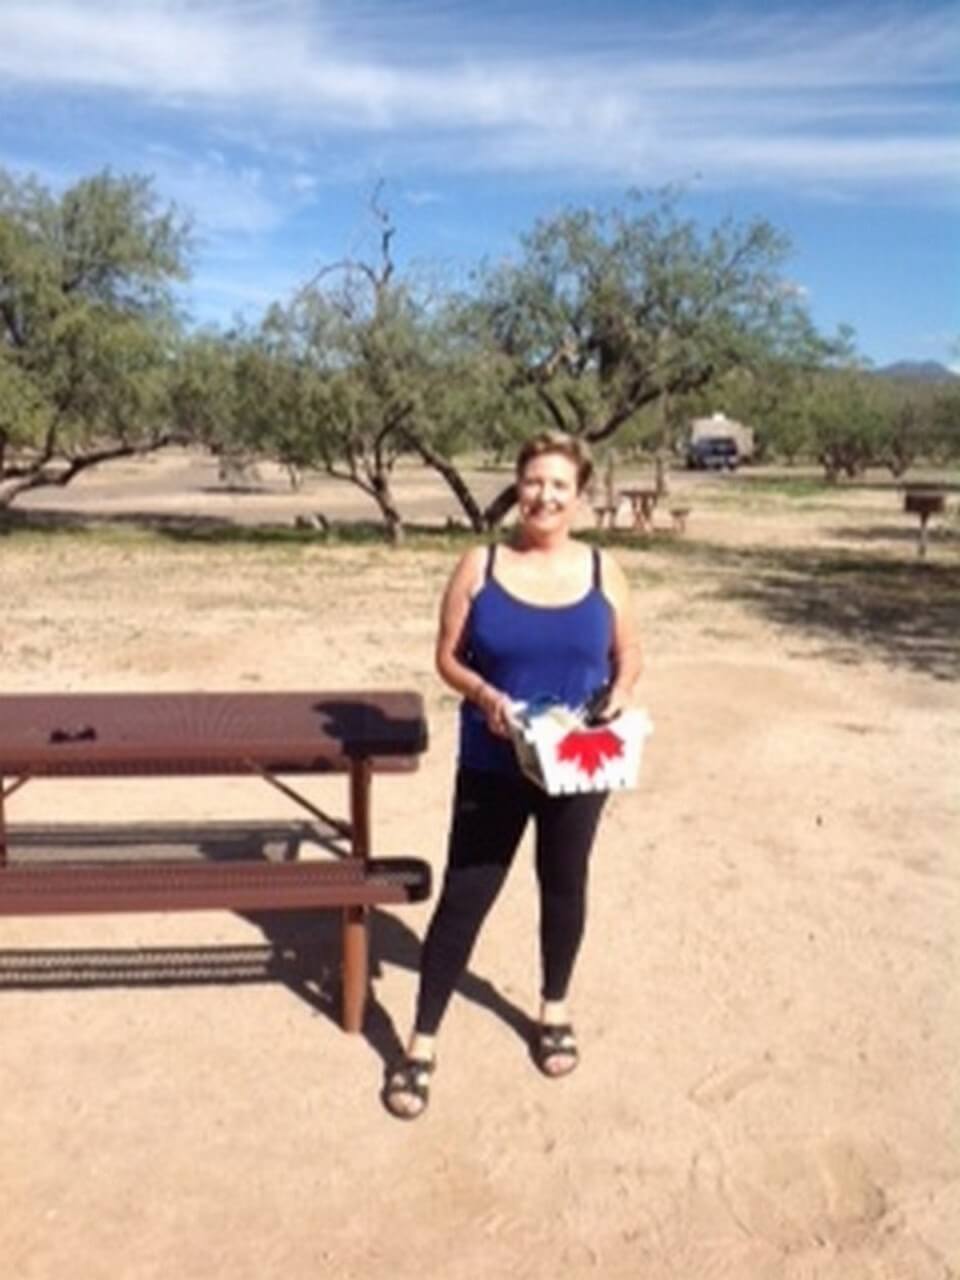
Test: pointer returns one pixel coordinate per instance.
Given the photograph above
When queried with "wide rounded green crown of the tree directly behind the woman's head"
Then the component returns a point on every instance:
(607, 313)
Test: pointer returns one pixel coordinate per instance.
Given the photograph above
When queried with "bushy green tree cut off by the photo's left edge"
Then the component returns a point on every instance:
(86, 324)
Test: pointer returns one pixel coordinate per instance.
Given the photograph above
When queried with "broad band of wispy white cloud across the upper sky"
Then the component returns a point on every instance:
(794, 97)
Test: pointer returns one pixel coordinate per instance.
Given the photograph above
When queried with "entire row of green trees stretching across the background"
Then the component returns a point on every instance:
(619, 327)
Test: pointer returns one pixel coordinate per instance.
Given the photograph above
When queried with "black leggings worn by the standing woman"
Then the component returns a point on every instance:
(491, 812)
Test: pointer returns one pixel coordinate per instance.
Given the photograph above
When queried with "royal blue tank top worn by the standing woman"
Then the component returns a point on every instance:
(531, 652)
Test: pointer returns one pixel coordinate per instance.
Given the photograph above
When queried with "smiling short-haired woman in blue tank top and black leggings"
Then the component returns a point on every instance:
(540, 618)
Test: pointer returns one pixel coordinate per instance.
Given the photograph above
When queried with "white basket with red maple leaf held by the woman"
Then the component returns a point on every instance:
(561, 755)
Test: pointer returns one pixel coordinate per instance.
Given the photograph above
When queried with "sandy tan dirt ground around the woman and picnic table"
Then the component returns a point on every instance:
(767, 998)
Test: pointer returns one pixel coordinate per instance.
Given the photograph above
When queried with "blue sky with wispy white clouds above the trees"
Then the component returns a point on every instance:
(273, 122)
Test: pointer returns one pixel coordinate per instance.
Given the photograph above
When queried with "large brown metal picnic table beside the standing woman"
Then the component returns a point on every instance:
(262, 735)
